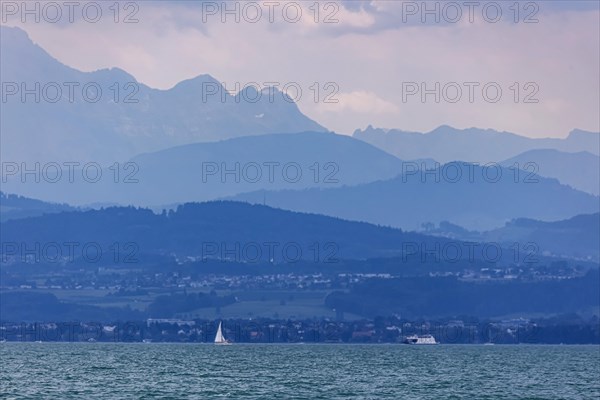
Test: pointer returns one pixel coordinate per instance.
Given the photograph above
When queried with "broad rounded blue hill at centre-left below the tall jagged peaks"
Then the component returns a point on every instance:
(207, 171)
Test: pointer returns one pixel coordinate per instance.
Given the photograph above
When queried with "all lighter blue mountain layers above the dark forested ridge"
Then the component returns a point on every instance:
(180, 145)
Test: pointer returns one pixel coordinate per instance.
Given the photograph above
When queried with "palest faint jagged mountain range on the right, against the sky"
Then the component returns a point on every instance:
(445, 143)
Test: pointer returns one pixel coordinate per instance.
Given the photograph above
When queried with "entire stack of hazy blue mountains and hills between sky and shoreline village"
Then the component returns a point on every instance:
(190, 175)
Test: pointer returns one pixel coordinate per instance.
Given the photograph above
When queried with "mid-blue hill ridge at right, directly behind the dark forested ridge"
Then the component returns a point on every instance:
(475, 201)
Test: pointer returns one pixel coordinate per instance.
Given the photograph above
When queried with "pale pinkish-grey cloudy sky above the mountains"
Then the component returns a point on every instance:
(373, 57)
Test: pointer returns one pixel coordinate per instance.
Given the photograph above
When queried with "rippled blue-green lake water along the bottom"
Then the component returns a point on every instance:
(315, 371)
